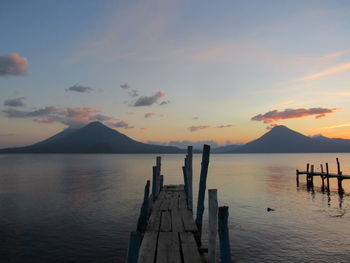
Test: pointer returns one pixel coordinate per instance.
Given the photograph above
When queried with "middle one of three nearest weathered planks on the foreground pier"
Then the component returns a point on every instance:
(168, 248)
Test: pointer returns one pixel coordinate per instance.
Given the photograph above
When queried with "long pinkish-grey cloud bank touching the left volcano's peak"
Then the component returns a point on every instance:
(71, 116)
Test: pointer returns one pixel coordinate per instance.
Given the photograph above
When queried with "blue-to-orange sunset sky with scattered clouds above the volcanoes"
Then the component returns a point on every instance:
(160, 71)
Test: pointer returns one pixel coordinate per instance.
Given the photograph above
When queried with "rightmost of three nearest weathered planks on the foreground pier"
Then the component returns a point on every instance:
(189, 248)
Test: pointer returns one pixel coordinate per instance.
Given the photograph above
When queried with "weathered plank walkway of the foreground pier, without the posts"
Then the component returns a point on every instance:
(171, 230)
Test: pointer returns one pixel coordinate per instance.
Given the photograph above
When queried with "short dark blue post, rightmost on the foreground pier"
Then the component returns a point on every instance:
(224, 238)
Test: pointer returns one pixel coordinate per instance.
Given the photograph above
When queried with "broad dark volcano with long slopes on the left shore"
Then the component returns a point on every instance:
(92, 138)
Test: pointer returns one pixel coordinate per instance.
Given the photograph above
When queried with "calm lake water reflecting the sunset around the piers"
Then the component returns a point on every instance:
(81, 208)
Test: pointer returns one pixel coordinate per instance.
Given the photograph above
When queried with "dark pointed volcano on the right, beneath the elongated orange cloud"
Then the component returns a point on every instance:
(281, 139)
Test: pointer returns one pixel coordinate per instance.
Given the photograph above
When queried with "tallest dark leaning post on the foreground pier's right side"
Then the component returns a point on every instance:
(202, 188)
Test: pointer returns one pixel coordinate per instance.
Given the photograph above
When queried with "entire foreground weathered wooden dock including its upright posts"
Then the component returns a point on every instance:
(166, 230)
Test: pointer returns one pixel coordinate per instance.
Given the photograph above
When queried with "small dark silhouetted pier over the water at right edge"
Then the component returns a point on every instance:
(324, 175)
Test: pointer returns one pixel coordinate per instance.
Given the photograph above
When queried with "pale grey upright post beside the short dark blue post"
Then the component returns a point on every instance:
(213, 224)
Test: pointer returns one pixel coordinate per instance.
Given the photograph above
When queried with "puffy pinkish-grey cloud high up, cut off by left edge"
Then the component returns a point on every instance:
(13, 64)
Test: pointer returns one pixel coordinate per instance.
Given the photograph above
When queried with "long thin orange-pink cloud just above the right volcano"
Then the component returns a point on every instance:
(276, 115)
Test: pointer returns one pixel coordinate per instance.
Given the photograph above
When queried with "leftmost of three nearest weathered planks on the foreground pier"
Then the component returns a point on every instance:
(147, 252)
